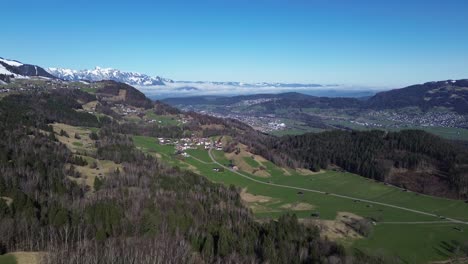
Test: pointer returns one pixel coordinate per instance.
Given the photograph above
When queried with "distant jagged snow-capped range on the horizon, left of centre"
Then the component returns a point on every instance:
(99, 74)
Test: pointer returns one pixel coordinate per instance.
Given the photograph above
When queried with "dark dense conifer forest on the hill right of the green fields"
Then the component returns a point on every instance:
(412, 159)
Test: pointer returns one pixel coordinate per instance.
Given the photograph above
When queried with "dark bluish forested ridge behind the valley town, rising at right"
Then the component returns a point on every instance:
(451, 94)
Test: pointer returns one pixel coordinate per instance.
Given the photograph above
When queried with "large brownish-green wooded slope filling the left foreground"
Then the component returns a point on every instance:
(146, 212)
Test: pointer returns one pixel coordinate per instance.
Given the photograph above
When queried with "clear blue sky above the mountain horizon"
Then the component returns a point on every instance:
(360, 42)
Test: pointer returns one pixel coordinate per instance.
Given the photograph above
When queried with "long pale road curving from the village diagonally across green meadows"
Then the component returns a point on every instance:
(452, 220)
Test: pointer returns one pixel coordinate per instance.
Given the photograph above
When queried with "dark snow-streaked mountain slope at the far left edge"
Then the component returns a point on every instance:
(19, 70)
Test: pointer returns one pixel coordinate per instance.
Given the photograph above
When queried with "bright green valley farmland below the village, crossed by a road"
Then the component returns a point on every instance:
(414, 237)
